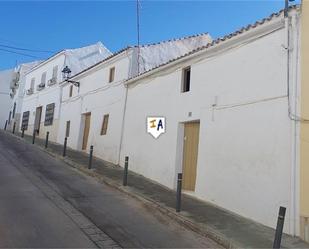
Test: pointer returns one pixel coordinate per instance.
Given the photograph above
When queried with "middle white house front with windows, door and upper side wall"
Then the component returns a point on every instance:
(93, 113)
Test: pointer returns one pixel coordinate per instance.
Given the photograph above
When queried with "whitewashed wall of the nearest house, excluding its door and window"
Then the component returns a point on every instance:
(244, 156)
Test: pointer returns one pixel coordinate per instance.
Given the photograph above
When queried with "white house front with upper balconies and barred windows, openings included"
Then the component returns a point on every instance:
(41, 103)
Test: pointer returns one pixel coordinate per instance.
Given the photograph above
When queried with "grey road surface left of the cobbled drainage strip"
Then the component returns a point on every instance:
(28, 218)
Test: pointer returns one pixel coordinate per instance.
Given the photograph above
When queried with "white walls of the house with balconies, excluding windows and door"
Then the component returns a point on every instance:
(77, 60)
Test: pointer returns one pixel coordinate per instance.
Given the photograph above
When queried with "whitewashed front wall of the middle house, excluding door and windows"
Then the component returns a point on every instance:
(98, 96)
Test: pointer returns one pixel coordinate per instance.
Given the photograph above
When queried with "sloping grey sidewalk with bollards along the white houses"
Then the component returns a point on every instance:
(228, 229)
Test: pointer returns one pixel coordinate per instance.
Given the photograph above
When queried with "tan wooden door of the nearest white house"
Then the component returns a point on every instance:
(190, 154)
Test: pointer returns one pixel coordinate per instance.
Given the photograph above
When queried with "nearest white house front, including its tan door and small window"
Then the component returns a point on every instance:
(228, 123)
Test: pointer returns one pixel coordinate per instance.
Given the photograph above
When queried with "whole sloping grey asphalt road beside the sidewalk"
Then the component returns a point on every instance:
(45, 203)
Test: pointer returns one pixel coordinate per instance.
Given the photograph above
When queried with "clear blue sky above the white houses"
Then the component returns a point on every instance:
(40, 28)
